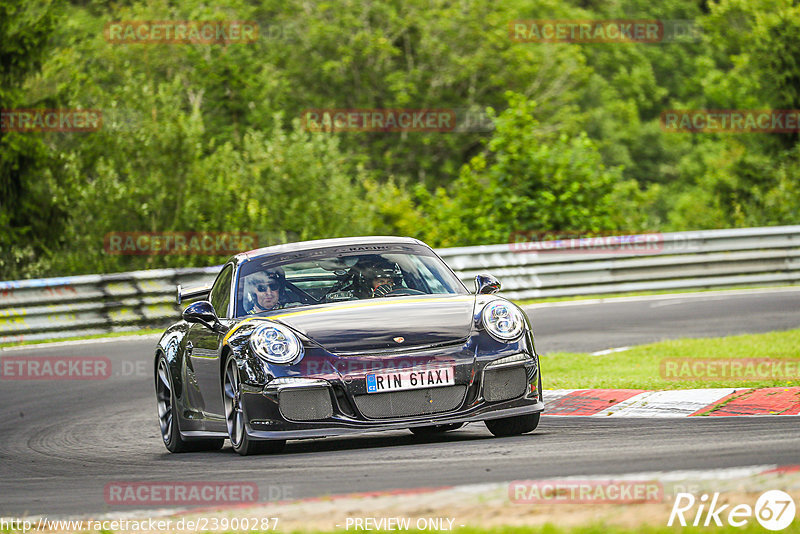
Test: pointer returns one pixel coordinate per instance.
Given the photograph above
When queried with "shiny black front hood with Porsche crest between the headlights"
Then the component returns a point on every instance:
(368, 325)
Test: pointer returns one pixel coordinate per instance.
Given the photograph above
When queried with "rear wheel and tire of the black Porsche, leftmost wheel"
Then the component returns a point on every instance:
(167, 417)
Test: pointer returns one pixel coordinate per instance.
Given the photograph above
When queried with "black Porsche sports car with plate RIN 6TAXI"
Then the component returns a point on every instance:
(336, 336)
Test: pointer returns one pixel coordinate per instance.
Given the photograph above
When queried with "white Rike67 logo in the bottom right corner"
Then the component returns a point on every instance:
(774, 510)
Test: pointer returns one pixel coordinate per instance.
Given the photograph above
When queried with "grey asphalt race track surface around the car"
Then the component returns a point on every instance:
(63, 441)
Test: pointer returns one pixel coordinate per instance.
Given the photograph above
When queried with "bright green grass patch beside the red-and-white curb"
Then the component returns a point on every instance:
(639, 367)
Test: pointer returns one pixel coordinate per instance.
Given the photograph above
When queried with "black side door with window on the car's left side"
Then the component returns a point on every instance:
(203, 349)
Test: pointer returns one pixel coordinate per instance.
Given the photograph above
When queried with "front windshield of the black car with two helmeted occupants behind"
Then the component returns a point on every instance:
(323, 276)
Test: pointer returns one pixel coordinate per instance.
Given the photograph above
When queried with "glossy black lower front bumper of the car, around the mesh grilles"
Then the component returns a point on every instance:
(266, 411)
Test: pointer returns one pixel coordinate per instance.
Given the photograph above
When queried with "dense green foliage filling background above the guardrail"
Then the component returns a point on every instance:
(207, 137)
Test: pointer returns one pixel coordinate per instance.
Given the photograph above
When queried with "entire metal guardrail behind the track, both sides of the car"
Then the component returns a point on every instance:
(93, 304)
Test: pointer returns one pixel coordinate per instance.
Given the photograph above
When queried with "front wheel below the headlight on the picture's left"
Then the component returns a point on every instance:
(235, 416)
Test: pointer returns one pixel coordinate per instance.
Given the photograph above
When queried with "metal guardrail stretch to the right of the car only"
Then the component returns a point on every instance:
(680, 260)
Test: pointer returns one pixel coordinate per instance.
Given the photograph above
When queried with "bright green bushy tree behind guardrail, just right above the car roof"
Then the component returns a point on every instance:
(527, 181)
